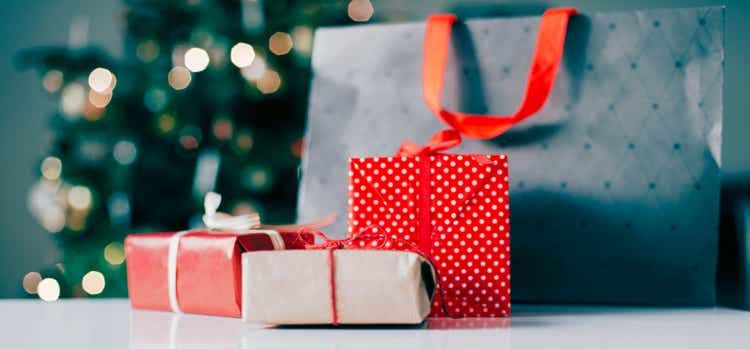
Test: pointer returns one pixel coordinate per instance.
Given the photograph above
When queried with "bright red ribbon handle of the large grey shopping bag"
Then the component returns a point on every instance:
(544, 65)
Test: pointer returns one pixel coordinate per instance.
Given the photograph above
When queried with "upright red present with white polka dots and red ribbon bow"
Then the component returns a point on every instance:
(453, 207)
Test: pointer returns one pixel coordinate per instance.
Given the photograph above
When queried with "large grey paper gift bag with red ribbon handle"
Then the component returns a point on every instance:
(614, 161)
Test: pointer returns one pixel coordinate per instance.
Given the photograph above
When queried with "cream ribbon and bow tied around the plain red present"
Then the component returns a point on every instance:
(219, 222)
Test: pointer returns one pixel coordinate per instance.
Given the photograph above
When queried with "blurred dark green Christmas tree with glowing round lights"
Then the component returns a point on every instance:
(210, 96)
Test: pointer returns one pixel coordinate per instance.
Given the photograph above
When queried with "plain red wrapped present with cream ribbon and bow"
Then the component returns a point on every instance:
(199, 271)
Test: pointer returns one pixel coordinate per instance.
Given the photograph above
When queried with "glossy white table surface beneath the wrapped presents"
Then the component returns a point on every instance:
(112, 324)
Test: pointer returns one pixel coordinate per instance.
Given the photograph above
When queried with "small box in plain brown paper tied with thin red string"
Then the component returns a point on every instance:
(372, 287)
